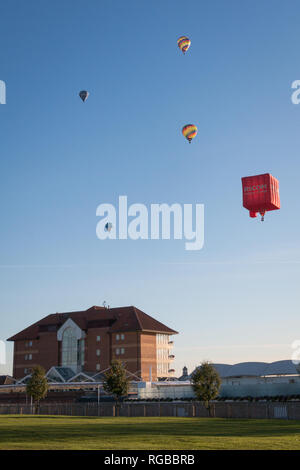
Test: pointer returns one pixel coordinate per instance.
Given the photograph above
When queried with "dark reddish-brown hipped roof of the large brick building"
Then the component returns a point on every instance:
(114, 319)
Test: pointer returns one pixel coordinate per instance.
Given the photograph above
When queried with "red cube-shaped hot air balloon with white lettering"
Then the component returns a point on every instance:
(260, 194)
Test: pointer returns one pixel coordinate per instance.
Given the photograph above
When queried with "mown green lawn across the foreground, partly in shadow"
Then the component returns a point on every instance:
(68, 432)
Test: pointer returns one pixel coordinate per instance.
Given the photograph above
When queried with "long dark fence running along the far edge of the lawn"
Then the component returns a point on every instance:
(264, 410)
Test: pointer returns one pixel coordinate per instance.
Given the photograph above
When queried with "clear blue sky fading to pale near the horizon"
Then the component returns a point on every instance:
(238, 298)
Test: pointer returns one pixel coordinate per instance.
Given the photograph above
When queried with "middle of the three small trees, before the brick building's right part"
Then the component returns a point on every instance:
(116, 381)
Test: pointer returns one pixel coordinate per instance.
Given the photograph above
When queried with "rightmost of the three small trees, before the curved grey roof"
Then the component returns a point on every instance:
(206, 383)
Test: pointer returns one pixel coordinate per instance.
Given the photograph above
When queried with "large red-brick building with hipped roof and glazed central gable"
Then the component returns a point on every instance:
(88, 340)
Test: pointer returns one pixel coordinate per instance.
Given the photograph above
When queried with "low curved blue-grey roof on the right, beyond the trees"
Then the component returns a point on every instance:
(257, 369)
